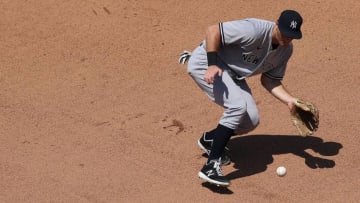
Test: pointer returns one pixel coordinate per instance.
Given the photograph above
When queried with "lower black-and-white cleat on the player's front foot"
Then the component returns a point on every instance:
(212, 173)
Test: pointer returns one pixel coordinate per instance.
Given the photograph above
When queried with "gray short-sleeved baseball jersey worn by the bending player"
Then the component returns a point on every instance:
(246, 49)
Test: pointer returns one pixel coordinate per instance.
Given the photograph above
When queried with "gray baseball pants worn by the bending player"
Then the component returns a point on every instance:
(240, 111)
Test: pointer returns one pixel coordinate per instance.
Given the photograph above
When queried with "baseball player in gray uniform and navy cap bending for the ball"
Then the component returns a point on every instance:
(232, 52)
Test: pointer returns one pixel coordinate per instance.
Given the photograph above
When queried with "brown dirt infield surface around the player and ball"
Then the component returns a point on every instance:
(95, 108)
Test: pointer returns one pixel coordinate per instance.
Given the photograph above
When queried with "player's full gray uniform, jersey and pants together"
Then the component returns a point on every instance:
(245, 50)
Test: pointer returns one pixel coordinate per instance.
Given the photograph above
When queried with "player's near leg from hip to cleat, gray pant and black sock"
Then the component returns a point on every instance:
(228, 94)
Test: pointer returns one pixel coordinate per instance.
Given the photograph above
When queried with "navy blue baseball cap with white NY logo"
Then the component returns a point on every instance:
(290, 23)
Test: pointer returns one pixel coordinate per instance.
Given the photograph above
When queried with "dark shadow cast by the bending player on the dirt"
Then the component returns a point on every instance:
(251, 154)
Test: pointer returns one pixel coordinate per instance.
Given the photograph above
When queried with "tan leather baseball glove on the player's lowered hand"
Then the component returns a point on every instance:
(305, 117)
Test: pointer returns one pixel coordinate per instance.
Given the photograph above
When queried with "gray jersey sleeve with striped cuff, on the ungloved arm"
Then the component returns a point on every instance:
(236, 32)
